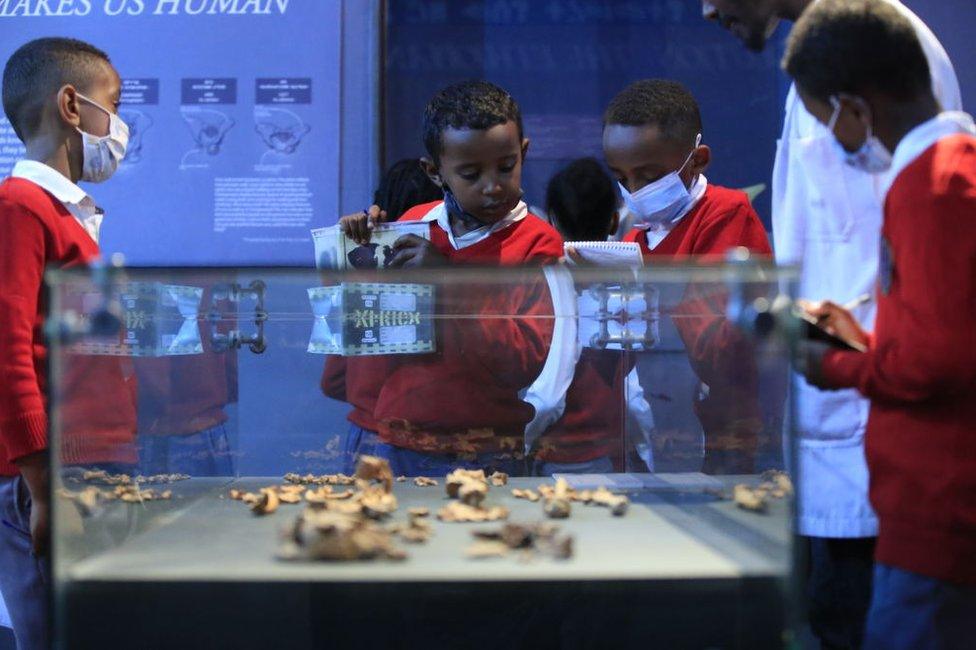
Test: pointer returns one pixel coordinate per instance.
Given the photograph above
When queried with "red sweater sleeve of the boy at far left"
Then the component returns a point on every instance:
(23, 421)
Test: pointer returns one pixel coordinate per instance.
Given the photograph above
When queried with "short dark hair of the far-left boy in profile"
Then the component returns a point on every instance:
(38, 69)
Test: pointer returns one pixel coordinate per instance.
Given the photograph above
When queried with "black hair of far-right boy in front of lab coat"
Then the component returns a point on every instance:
(850, 46)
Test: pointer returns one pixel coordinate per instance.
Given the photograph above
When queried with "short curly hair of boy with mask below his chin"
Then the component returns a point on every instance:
(467, 105)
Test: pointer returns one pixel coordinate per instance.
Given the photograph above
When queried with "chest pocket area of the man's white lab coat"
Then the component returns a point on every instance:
(826, 204)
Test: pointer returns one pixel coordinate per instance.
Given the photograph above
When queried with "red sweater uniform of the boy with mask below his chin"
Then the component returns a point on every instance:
(460, 406)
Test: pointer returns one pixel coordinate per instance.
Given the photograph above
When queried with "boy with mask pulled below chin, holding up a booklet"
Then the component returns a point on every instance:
(461, 406)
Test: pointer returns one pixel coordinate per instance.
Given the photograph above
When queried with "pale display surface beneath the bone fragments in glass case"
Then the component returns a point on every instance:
(674, 530)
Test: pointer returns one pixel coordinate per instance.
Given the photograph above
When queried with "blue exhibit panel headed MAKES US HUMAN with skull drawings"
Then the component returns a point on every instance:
(234, 111)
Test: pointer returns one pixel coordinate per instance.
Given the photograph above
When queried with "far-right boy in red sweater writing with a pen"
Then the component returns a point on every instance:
(859, 69)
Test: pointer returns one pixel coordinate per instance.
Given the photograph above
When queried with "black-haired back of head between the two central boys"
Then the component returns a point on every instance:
(581, 200)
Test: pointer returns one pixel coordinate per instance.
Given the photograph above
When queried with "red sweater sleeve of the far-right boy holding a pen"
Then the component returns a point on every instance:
(927, 346)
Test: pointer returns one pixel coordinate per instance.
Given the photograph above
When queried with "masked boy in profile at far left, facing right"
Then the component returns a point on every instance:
(61, 97)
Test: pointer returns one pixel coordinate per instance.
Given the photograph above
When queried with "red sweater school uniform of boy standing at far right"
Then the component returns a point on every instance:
(920, 375)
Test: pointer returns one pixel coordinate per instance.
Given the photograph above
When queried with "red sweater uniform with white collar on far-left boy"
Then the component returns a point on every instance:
(46, 220)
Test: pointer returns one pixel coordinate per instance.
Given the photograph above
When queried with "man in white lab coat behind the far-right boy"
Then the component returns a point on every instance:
(827, 216)
